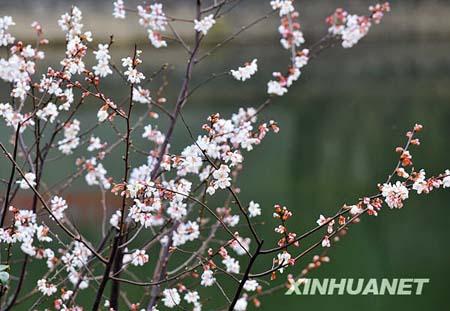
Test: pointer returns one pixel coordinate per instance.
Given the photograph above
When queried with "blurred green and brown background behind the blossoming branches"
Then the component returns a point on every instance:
(339, 126)
